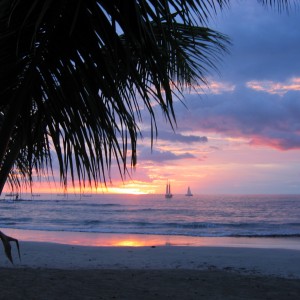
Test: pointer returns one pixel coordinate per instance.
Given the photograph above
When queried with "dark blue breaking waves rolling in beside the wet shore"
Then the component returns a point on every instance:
(153, 228)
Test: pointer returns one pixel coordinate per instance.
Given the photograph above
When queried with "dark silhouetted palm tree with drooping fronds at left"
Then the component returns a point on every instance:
(75, 75)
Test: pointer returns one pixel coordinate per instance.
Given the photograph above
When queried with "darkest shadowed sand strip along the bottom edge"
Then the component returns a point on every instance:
(142, 284)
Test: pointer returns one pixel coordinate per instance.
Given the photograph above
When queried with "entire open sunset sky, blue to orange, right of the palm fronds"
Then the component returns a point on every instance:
(240, 136)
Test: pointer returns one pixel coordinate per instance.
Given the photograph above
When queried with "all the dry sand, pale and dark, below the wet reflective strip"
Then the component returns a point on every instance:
(55, 271)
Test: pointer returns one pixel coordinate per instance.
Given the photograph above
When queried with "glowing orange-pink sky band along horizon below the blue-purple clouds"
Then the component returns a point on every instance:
(227, 165)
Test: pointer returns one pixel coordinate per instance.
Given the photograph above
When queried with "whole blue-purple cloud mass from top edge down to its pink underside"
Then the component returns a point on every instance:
(257, 99)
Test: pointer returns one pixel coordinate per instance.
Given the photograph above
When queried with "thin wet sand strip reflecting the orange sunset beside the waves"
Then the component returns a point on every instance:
(146, 240)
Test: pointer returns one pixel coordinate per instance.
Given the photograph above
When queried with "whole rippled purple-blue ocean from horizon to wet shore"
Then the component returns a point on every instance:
(197, 216)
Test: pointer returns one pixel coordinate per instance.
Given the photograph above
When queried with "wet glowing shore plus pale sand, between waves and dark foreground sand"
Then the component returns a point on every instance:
(72, 250)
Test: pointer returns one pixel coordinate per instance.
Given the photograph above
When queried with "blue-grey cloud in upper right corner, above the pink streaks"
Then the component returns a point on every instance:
(265, 43)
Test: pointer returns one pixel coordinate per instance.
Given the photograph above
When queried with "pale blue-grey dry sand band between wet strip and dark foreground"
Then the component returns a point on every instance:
(246, 260)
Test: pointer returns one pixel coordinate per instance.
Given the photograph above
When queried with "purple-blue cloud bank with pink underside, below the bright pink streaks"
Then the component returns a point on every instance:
(261, 118)
